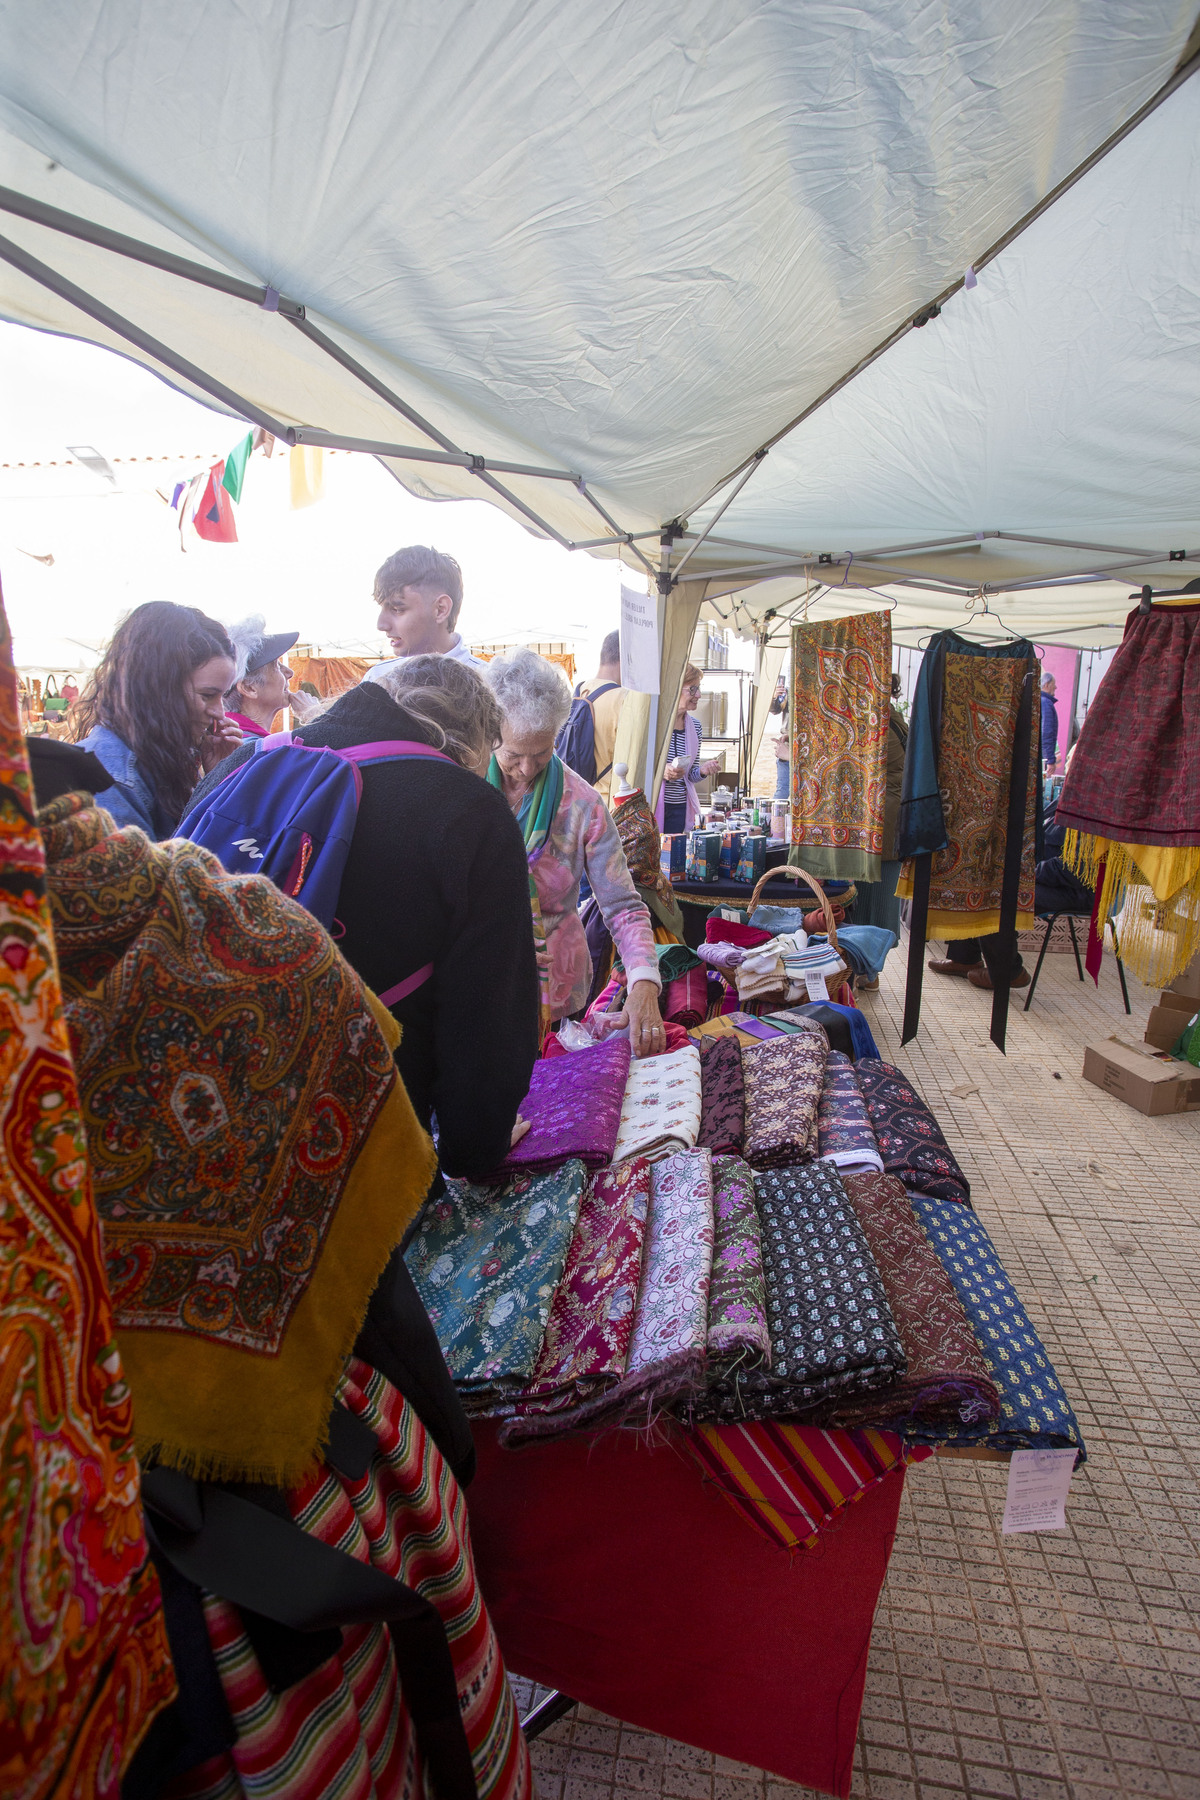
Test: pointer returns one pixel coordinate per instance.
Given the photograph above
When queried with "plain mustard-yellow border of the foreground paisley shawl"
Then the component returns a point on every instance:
(224, 1414)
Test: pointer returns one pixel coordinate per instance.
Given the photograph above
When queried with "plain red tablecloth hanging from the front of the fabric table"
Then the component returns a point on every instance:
(614, 1574)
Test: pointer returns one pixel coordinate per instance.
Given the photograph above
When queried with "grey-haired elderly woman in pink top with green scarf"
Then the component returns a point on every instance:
(569, 832)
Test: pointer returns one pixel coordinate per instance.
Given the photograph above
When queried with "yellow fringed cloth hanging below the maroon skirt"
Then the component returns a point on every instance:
(1160, 937)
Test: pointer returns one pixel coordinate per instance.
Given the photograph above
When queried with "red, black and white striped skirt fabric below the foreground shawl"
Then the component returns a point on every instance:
(345, 1732)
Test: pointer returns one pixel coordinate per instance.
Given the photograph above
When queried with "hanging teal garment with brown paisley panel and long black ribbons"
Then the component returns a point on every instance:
(969, 811)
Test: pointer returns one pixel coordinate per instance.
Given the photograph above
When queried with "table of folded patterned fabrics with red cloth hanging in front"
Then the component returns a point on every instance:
(703, 1320)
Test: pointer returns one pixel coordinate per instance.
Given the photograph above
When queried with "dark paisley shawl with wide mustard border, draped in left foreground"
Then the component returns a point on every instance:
(253, 1149)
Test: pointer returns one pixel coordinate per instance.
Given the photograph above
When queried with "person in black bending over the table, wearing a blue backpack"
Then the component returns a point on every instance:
(433, 899)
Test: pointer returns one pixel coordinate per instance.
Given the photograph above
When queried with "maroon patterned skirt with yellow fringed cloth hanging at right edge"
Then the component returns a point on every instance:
(1133, 793)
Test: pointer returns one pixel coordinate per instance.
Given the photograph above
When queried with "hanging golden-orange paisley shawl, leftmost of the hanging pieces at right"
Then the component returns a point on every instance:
(841, 685)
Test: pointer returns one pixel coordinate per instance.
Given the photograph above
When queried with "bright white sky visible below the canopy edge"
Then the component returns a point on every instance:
(116, 546)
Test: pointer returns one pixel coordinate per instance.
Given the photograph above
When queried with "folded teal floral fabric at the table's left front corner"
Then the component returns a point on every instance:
(487, 1264)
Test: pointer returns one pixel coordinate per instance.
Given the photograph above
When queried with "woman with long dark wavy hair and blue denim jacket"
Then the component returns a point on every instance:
(154, 712)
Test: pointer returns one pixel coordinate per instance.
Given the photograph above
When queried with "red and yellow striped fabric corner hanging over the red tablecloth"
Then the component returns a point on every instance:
(789, 1482)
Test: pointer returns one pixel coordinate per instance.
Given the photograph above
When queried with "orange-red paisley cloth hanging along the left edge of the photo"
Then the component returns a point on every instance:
(84, 1644)
